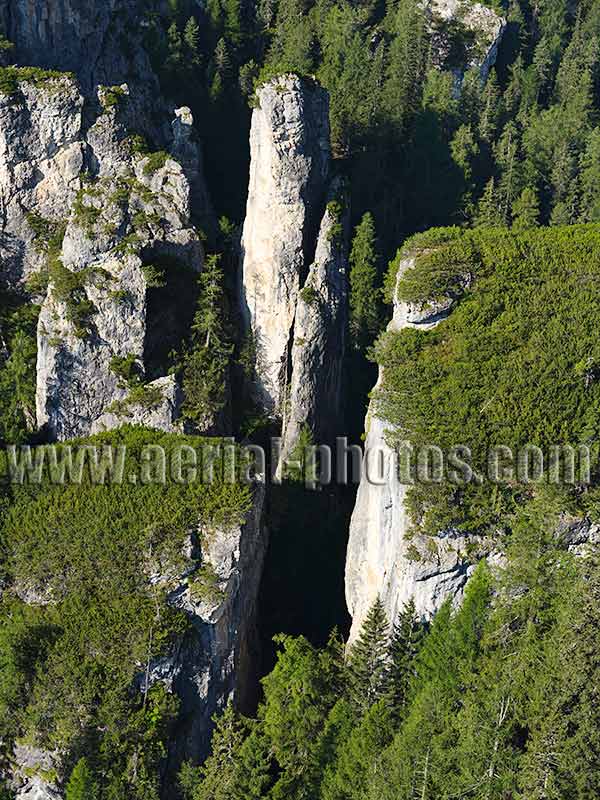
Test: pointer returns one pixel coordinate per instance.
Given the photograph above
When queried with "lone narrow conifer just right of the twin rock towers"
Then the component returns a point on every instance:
(365, 295)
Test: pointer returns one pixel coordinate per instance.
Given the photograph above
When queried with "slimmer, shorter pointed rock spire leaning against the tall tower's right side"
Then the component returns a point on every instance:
(315, 391)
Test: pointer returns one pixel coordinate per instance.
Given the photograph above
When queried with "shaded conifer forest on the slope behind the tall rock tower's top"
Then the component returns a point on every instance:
(417, 154)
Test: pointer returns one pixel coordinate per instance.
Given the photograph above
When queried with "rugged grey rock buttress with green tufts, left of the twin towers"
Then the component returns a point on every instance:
(124, 225)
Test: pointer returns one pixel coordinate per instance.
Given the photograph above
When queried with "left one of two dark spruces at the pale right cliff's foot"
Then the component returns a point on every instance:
(368, 661)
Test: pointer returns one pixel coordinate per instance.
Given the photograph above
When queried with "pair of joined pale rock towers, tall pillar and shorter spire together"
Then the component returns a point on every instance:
(294, 251)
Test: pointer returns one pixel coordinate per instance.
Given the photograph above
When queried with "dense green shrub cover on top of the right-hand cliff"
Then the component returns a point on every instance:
(516, 364)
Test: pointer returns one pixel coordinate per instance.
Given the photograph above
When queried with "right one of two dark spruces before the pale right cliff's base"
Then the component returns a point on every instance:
(405, 641)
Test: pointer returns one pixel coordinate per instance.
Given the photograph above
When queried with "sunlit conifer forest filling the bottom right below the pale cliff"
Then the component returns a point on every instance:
(496, 699)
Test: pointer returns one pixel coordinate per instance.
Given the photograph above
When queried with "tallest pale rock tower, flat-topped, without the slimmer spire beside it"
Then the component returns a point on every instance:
(289, 179)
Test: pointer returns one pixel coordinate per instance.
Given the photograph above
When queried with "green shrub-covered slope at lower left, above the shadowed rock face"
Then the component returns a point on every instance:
(86, 570)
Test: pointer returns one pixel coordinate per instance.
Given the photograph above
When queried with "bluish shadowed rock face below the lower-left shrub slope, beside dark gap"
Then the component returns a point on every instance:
(219, 656)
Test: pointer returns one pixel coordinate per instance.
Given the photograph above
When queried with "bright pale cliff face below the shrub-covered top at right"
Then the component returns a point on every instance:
(384, 558)
